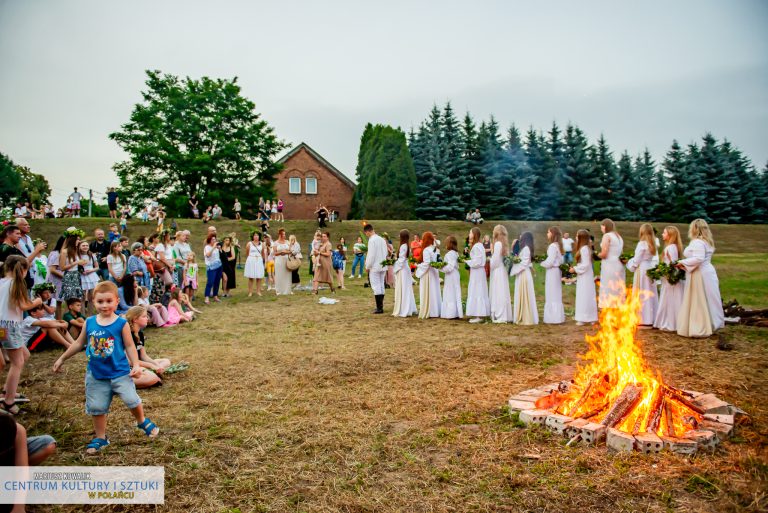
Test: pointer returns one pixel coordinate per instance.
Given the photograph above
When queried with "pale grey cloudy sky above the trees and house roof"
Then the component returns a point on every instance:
(642, 73)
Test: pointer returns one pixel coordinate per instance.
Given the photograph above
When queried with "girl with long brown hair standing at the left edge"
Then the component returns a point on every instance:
(14, 300)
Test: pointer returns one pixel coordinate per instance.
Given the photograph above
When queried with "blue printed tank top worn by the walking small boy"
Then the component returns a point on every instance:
(105, 350)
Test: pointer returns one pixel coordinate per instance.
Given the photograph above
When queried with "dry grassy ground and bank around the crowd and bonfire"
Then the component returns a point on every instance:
(294, 406)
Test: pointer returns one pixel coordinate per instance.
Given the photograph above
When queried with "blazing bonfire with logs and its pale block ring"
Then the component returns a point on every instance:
(616, 394)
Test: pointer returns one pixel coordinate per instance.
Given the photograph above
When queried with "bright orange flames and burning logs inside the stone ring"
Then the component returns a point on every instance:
(614, 361)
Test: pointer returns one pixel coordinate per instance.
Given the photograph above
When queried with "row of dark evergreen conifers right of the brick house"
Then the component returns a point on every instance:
(560, 174)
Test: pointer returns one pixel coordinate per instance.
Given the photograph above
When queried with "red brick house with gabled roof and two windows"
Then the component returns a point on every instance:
(308, 180)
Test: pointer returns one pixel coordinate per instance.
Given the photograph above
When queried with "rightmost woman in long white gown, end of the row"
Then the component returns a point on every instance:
(701, 313)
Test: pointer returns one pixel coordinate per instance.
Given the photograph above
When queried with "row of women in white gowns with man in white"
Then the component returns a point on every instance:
(691, 307)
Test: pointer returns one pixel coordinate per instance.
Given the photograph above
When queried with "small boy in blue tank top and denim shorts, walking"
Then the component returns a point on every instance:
(112, 362)
